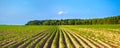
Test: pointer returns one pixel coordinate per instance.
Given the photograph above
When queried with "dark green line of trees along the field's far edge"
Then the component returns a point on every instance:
(107, 20)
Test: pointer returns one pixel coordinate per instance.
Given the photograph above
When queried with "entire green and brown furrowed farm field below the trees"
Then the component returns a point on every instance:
(64, 36)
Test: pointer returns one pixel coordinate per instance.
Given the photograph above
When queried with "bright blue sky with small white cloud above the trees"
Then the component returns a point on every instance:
(19, 12)
